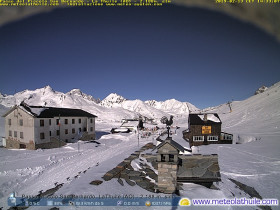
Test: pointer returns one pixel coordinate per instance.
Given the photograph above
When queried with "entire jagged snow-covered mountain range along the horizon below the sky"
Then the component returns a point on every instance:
(113, 108)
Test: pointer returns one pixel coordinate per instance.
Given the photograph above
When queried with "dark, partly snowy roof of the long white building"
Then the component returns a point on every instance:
(50, 112)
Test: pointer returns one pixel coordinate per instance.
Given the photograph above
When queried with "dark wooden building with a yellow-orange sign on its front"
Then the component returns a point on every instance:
(205, 129)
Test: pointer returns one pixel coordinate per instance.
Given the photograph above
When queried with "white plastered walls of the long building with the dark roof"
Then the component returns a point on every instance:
(32, 129)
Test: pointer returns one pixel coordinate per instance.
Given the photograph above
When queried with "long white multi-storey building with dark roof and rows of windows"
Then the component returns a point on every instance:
(35, 127)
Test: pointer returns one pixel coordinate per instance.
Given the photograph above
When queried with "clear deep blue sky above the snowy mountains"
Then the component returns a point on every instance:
(204, 57)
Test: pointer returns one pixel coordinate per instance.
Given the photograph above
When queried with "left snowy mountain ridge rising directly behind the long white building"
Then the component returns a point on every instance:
(73, 99)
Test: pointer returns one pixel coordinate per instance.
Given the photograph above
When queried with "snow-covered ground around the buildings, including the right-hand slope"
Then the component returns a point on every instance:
(256, 162)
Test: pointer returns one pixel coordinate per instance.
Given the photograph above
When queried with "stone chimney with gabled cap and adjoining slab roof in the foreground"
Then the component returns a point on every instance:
(174, 168)
